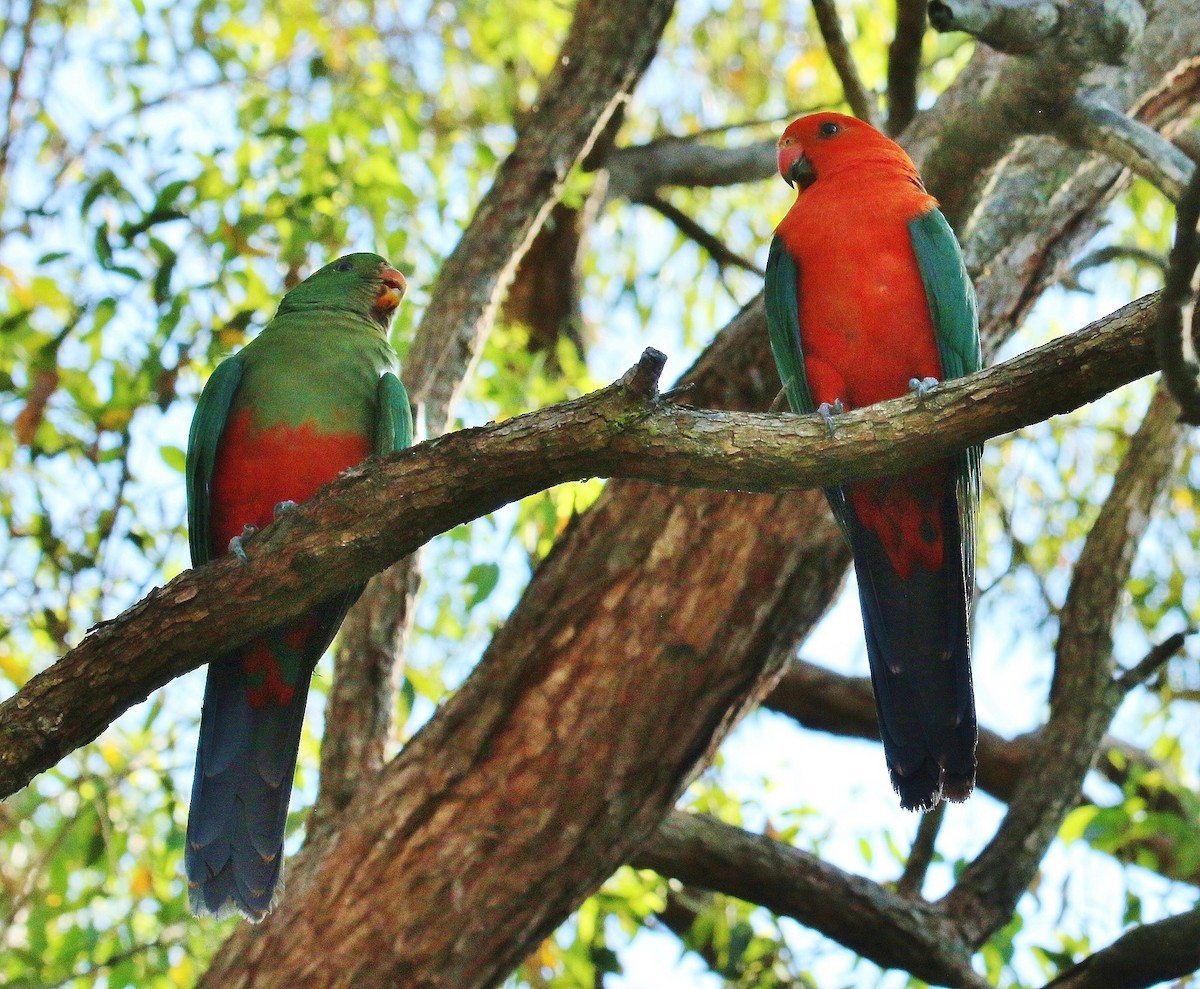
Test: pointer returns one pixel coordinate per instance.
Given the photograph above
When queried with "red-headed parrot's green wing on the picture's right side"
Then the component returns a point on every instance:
(952, 305)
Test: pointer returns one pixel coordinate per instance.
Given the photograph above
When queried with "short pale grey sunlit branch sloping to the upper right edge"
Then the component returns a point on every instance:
(1096, 127)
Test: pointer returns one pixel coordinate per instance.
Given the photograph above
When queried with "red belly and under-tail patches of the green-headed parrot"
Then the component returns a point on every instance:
(255, 471)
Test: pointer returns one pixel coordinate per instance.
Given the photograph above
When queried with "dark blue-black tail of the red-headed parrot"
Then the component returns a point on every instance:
(920, 651)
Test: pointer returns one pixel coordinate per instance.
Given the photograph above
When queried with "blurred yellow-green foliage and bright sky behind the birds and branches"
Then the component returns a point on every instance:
(170, 170)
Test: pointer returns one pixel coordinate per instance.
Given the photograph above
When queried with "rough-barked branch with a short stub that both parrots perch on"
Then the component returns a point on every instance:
(386, 510)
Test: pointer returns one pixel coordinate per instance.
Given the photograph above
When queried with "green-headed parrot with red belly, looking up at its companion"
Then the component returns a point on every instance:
(309, 398)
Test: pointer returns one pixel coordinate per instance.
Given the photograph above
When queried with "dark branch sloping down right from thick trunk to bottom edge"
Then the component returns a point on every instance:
(886, 928)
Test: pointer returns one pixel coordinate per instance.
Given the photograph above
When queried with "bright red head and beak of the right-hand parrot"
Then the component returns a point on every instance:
(826, 143)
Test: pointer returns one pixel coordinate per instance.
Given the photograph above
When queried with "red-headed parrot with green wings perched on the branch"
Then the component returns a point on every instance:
(867, 299)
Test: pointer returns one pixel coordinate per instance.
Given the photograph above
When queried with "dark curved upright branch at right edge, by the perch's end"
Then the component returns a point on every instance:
(1181, 374)
